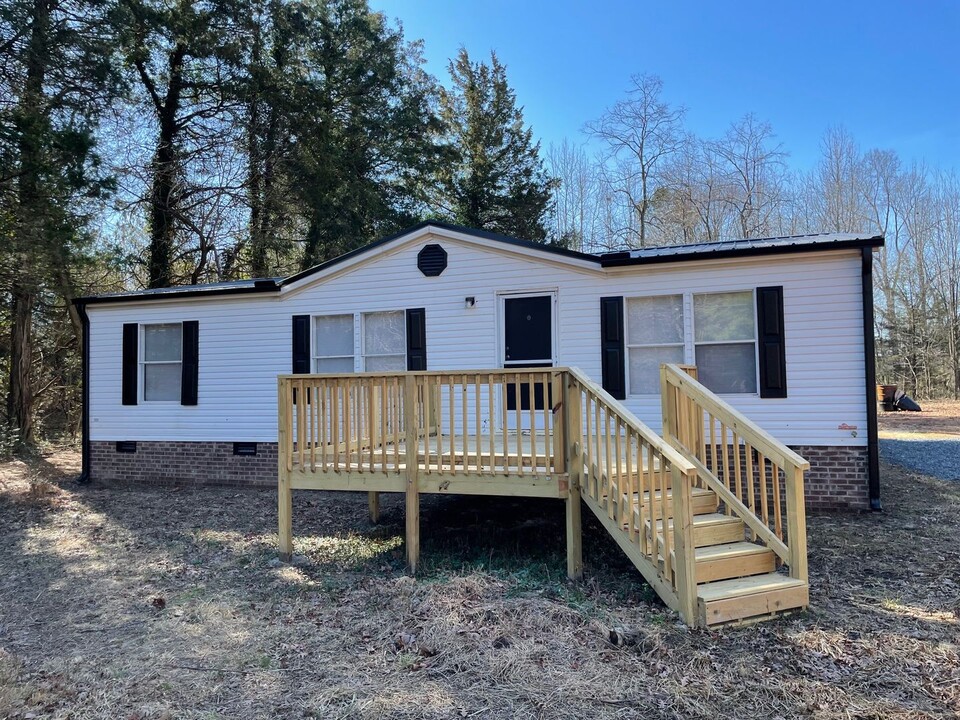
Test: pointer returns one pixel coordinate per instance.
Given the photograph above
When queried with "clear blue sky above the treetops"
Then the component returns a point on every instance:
(887, 71)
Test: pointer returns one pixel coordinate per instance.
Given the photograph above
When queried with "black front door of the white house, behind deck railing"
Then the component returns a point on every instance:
(527, 342)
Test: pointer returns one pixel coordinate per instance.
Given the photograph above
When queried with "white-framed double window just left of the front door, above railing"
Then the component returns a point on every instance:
(382, 346)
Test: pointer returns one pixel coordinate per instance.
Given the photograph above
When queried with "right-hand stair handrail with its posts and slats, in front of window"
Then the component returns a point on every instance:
(678, 381)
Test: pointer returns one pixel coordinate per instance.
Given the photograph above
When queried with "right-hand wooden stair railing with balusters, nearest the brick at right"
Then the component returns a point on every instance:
(755, 476)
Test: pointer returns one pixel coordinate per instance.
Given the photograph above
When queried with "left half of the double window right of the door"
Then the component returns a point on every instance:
(654, 336)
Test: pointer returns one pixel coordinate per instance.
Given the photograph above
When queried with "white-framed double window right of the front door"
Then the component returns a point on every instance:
(722, 343)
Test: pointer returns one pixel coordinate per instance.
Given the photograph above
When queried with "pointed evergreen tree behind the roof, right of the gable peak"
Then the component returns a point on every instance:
(494, 178)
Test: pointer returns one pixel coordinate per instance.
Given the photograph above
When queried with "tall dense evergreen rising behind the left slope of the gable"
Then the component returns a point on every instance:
(367, 132)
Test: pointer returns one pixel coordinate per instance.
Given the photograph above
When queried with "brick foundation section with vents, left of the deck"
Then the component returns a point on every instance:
(183, 463)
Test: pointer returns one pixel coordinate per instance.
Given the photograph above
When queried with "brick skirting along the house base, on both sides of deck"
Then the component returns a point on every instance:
(837, 477)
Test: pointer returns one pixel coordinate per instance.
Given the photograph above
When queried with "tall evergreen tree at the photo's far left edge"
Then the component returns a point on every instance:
(55, 59)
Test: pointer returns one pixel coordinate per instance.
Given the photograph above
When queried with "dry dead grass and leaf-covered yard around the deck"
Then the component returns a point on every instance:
(142, 603)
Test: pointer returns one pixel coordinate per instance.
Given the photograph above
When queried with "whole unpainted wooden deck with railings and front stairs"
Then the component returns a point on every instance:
(711, 514)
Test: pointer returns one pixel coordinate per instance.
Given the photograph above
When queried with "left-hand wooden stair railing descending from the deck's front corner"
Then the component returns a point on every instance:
(635, 482)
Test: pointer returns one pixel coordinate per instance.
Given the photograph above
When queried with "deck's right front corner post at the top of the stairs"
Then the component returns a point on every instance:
(571, 426)
